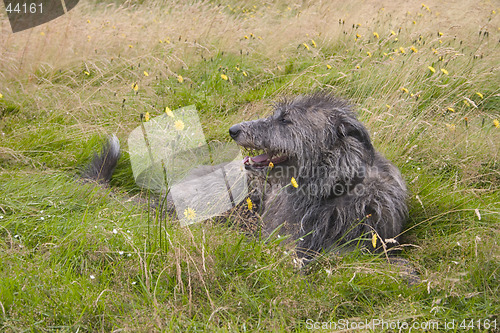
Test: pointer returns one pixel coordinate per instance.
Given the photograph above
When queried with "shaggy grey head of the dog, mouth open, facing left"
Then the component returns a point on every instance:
(309, 131)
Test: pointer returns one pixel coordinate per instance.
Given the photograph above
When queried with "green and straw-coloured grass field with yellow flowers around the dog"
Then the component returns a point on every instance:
(74, 257)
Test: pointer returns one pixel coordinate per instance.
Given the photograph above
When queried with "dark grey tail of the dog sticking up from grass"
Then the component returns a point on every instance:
(102, 165)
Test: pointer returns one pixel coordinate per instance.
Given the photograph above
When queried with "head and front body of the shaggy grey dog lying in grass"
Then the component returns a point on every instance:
(346, 190)
